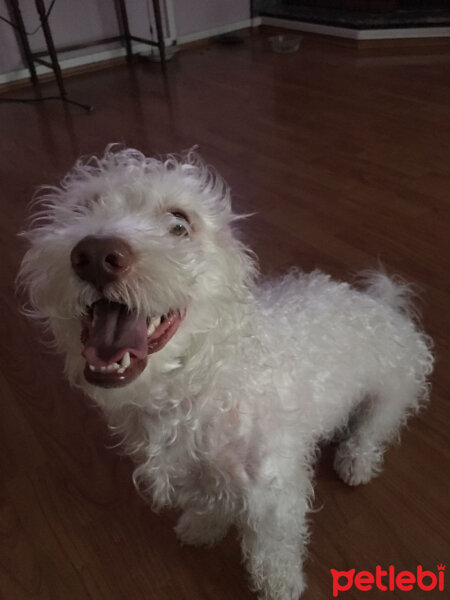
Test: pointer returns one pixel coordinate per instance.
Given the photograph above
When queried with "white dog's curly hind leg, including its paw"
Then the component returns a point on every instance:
(359, 457)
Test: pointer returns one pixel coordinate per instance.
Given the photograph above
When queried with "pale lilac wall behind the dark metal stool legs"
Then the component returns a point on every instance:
(84, 21)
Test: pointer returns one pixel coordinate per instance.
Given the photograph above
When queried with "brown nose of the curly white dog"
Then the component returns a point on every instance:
(101, 260)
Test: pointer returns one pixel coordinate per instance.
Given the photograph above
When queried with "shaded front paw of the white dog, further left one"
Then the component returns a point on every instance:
(200, 530)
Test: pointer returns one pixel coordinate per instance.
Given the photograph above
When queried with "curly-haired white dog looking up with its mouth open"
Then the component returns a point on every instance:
(221, 386)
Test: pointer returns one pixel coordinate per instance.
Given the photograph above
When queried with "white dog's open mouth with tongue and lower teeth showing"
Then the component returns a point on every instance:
(117, 341)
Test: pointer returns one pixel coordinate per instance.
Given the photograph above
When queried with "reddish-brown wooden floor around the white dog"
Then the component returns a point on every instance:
(344, 158)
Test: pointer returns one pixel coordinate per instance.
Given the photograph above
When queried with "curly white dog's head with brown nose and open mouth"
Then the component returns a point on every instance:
(128, 255)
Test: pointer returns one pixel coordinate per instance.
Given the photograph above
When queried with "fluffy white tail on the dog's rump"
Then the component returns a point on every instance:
(392, 291)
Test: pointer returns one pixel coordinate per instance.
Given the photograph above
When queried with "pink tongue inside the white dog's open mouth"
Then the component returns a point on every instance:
(114, 331)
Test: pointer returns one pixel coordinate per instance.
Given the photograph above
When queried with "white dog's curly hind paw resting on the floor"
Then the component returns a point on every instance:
(356, 466)
